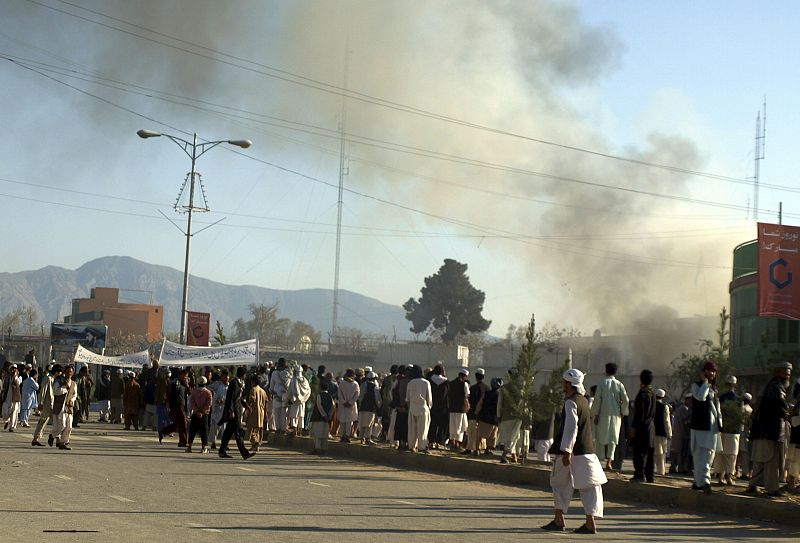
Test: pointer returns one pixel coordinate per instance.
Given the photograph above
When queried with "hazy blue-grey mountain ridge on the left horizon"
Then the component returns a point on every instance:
(50, 291)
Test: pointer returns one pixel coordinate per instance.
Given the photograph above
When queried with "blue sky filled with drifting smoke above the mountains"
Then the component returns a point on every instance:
(590, 162)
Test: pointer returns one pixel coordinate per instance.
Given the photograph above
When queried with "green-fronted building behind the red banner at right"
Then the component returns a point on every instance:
(756, 342)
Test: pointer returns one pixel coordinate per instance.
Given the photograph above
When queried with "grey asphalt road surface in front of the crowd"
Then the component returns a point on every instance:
(124, 486)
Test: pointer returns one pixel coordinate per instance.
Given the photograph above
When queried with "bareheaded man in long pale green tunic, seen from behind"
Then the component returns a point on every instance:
(609, 406)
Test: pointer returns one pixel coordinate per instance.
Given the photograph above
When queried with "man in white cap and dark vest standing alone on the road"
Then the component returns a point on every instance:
(575, 466)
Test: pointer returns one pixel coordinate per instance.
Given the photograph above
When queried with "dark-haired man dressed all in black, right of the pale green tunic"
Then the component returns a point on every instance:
(643, 431)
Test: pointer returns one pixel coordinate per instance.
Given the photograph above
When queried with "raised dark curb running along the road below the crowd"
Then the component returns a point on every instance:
(536, 475)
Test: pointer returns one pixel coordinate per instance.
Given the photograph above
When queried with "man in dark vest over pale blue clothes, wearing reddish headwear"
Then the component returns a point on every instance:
(705, 423)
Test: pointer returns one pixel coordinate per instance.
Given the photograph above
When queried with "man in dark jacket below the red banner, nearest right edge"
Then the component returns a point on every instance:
(767, 433)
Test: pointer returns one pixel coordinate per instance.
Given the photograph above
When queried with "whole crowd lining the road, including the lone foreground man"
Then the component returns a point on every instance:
(711, 432)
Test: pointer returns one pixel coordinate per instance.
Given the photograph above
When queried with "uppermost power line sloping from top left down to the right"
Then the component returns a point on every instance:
(297, 79)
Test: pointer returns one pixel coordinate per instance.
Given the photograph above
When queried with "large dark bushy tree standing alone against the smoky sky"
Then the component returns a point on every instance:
(449, 304)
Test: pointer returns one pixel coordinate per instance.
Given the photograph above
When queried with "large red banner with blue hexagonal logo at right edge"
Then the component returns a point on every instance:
(778, 264)
